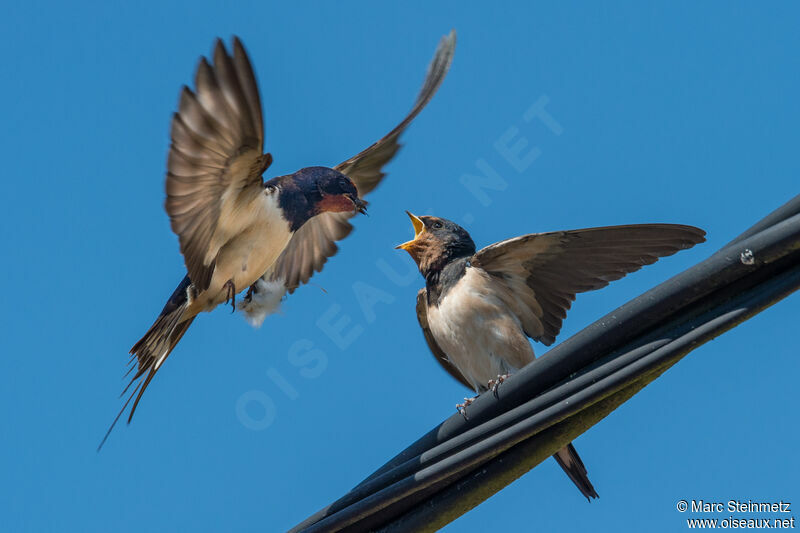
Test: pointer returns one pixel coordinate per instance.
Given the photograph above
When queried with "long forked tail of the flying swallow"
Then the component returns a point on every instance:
(149, 353)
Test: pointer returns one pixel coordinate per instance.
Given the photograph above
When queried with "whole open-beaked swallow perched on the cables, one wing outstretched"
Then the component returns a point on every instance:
(478, 310)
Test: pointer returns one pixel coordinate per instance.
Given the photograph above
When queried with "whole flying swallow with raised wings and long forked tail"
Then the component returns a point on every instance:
(237, 230)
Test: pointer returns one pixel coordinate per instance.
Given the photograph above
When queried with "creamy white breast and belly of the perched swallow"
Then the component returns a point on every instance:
(477, 332)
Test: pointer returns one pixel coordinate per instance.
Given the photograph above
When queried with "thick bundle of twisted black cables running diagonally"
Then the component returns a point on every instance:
(551, 401)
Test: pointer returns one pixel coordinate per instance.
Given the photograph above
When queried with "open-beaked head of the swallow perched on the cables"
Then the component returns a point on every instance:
(436, 242)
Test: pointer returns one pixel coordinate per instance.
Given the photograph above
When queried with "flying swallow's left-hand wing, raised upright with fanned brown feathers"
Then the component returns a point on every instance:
(216, 158)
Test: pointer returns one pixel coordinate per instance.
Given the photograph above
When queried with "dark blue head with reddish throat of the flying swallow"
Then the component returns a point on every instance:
(330, 191)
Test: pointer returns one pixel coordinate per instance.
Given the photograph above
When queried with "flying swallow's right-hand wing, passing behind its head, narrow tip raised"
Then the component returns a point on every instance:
(315, 241)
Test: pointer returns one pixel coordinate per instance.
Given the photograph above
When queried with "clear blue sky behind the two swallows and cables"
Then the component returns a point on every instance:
(685, 114)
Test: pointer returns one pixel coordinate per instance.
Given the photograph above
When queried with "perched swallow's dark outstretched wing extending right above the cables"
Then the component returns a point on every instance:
(538, 275)
